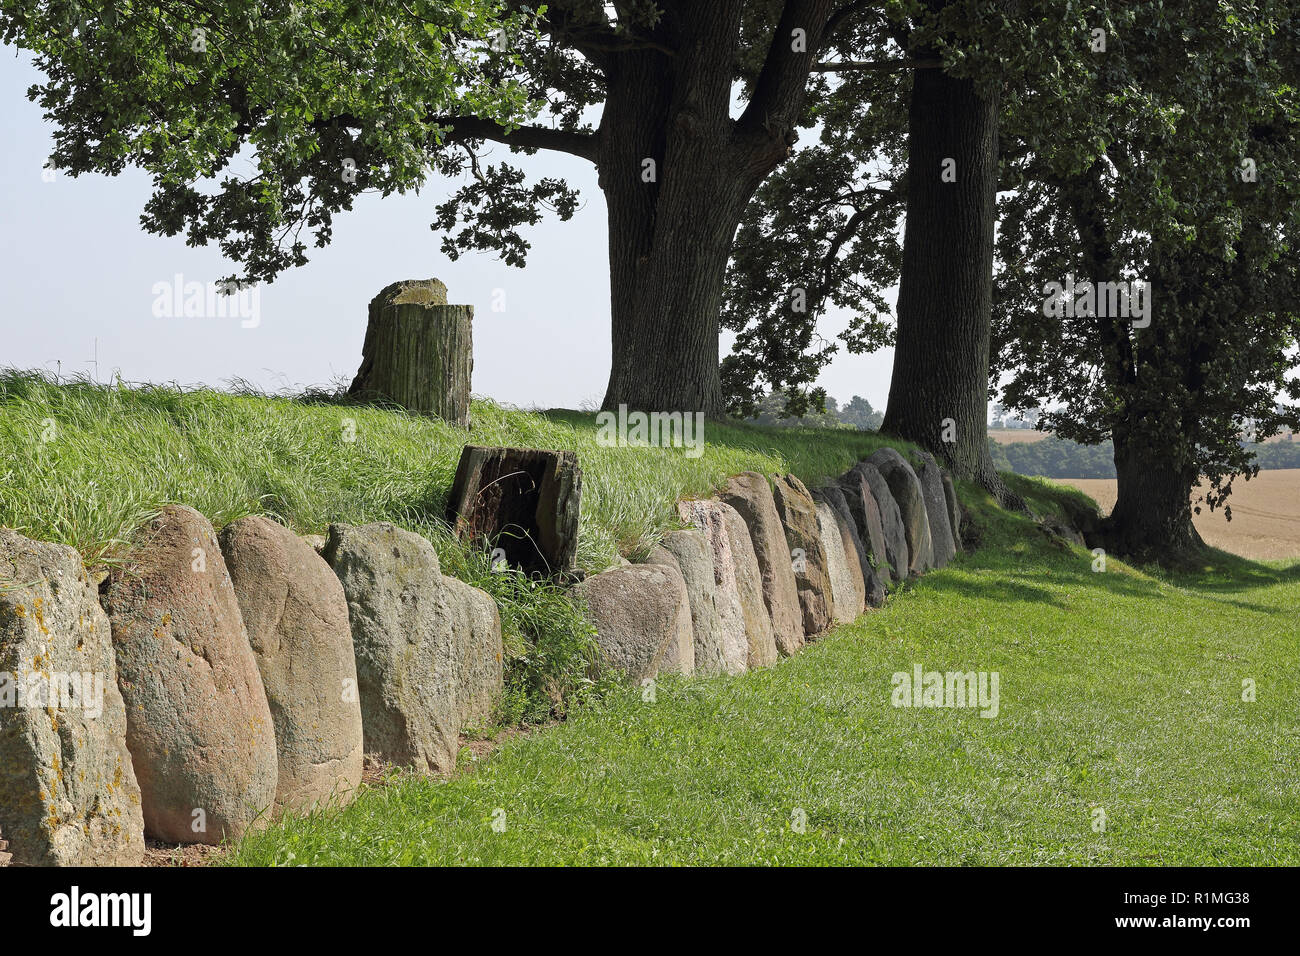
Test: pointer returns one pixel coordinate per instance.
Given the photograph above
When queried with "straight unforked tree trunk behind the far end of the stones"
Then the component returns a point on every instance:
(939, 392)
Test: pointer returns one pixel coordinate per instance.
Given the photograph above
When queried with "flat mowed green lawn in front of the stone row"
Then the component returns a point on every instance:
(1119, 694)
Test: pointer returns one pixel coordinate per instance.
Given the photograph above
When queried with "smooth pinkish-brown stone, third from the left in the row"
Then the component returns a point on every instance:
(294, 611)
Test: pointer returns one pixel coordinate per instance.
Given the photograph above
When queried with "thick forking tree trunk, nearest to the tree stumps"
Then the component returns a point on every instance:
(677, 172)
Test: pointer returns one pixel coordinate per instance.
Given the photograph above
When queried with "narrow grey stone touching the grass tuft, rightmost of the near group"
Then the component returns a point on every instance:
(478, 652)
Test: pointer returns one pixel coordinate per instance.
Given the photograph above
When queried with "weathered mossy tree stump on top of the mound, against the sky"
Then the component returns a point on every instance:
(419, 352)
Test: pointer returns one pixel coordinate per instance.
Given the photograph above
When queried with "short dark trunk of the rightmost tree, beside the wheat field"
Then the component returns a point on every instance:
(1152, 520)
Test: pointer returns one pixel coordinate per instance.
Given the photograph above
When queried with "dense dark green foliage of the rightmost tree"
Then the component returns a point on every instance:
(1146, 181)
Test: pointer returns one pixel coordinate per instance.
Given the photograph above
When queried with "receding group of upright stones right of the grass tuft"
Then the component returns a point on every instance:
(768, 566)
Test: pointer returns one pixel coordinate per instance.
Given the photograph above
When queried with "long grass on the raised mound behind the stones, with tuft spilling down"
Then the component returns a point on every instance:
(86, 465)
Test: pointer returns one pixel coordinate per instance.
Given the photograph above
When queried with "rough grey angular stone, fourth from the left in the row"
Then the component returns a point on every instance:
(402, 634)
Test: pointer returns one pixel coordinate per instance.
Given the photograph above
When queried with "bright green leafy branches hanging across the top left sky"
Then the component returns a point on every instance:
(307, 90)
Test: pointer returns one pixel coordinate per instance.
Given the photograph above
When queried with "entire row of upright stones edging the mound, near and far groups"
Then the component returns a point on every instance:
(248, 676)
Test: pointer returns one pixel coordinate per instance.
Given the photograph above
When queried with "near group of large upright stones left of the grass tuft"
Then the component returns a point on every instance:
(244, 677)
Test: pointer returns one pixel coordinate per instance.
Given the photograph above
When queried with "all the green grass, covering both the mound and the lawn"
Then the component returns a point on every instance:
(1120, 691)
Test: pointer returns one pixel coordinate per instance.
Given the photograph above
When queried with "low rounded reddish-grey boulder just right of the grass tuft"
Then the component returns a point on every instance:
(640, 612)
